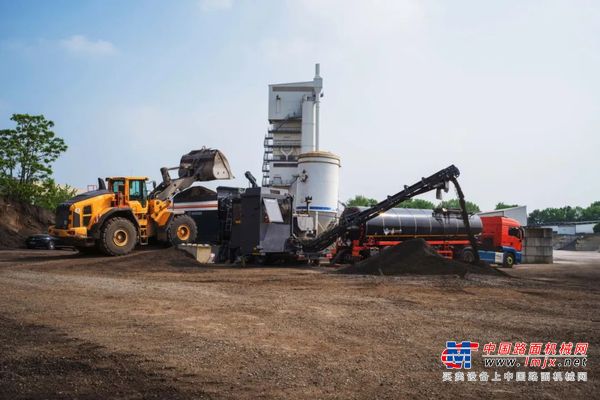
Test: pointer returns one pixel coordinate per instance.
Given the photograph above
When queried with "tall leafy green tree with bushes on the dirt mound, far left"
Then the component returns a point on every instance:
(26, 156)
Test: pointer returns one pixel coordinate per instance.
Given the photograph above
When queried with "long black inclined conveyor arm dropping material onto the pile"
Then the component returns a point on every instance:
(438, 181)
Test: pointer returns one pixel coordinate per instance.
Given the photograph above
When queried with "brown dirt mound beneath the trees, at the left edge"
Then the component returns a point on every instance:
(19, 220)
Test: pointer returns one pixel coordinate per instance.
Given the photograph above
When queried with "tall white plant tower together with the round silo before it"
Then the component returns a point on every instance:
(293, 160)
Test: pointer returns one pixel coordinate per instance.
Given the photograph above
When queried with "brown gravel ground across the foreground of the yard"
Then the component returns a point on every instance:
(154, 325)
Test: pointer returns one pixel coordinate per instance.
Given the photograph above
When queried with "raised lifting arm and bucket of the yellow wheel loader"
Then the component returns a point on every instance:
(196, 166)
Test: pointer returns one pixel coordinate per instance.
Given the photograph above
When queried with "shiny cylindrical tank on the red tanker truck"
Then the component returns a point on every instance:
(410, 222)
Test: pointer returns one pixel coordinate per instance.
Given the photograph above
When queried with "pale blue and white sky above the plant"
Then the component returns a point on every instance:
(508, 91)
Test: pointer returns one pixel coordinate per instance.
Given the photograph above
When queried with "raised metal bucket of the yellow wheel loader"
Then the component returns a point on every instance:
(205, 165)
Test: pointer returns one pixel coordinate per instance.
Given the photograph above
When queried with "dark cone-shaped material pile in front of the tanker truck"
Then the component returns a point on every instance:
(414, 257)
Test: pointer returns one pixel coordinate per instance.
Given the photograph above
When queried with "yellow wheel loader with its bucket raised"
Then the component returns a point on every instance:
(122, 214)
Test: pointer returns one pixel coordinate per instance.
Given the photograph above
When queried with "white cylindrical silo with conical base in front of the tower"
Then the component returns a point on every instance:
(318, 180)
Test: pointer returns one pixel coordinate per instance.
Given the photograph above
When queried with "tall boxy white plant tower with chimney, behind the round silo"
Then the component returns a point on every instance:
(294, 129)
